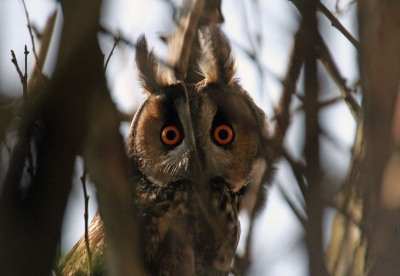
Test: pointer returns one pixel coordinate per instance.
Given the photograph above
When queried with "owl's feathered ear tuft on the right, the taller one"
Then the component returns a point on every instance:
(217, 62)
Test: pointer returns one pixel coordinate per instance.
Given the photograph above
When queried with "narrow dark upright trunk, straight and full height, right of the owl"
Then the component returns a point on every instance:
(311, 150)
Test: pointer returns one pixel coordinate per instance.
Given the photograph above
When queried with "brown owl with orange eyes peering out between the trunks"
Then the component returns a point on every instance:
(194, 149)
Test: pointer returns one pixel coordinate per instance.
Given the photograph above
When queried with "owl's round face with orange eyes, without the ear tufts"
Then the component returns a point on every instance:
(226, 127)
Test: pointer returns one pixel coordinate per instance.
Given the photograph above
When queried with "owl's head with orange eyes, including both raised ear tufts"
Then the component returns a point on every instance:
(229, 129)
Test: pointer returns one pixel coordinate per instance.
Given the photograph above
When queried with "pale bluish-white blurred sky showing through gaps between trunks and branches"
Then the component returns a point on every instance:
(261, 33)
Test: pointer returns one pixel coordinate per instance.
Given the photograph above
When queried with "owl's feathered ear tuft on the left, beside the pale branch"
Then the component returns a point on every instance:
(151, 74)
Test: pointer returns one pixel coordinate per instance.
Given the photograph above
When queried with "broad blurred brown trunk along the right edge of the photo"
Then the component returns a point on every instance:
(379, 58)
